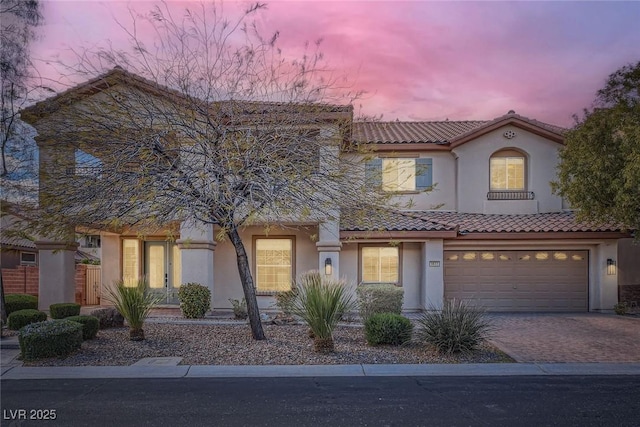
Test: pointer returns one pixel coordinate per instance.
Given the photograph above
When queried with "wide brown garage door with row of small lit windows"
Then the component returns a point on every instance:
(542, 280)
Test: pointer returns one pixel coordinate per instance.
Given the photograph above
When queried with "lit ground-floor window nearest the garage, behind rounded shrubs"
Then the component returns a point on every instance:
(380, 264)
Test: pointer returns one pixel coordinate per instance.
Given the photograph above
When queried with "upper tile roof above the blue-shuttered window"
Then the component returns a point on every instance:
(411, 132)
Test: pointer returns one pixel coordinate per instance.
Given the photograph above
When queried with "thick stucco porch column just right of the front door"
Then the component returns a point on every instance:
(197, 246)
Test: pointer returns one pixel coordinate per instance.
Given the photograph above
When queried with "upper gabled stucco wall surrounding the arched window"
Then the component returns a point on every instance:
(473, 169)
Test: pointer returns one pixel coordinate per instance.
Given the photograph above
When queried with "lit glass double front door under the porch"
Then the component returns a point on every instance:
(162, 270)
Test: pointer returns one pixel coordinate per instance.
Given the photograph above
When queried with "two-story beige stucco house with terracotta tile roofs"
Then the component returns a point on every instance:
(483, 226)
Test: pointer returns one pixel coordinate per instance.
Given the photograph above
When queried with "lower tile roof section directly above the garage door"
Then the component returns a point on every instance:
(533, 223)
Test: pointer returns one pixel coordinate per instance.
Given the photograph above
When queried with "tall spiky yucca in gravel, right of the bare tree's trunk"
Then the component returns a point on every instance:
(321, 303)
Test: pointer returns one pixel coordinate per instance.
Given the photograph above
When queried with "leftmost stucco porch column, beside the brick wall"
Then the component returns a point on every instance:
(57, 269)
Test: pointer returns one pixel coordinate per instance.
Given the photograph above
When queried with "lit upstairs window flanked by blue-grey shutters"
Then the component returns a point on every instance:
(400, 174)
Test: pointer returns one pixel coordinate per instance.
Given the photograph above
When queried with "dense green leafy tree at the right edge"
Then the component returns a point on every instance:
(599, 170)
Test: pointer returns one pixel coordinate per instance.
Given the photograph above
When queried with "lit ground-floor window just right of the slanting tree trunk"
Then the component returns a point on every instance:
(273, 264)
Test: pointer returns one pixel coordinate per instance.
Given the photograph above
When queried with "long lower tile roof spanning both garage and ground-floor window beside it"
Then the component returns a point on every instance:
(480, 223)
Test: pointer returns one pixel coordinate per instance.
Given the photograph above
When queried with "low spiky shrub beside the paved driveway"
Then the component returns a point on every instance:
(457, 328)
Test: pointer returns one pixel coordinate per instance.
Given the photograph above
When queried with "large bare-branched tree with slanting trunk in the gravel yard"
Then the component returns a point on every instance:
(209, 123)
